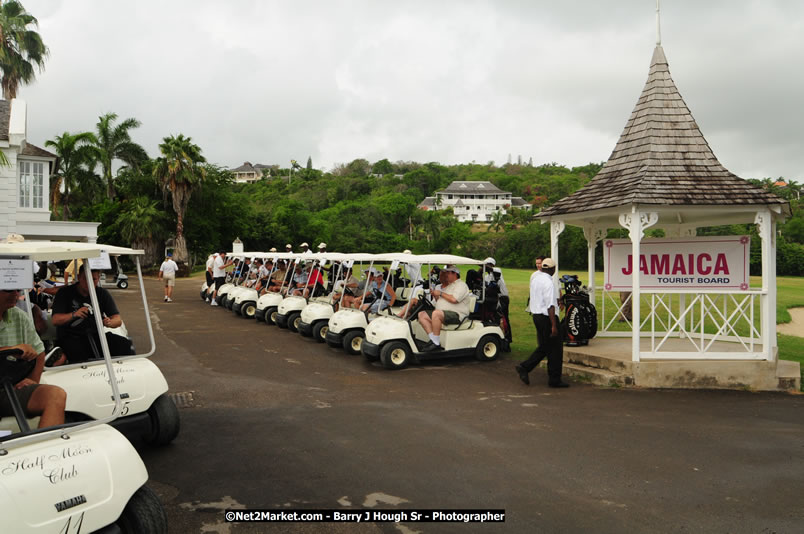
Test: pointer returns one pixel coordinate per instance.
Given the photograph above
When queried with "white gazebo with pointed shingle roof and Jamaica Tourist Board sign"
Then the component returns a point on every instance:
(663, 174)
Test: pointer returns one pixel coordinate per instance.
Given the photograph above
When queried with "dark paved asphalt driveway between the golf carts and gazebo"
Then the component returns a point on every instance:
(278, 421)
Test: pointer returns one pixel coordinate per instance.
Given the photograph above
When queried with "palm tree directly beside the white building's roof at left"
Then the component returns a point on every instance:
(73, 166)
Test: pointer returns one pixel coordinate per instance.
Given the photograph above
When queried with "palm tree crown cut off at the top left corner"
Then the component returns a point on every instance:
(20, 48)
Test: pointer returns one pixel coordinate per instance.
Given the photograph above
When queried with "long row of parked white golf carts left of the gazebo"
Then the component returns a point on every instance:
(392, 334)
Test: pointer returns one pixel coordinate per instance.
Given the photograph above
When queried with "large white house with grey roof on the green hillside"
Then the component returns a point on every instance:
(474, 201)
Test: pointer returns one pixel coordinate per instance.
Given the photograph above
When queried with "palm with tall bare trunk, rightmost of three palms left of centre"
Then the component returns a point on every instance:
(179, 171)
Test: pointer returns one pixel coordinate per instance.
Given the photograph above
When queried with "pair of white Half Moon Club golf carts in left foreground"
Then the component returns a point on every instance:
(83, 475)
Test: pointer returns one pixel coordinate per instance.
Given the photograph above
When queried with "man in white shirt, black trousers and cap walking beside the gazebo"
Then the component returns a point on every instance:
(542, 306)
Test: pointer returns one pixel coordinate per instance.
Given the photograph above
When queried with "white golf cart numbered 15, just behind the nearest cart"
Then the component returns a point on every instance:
(147, 410)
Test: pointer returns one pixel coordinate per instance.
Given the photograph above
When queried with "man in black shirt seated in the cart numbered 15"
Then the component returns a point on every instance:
(76, 331)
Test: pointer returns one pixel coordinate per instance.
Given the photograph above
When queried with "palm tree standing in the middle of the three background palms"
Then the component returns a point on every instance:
(114, 142)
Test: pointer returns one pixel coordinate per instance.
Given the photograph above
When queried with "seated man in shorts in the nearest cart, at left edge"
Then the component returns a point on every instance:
(17, 332)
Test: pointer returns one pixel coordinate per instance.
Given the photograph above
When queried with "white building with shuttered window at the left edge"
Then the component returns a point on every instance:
(25, 184)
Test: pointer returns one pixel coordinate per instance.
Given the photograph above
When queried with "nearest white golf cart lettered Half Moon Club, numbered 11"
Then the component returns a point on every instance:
(75, 477)
